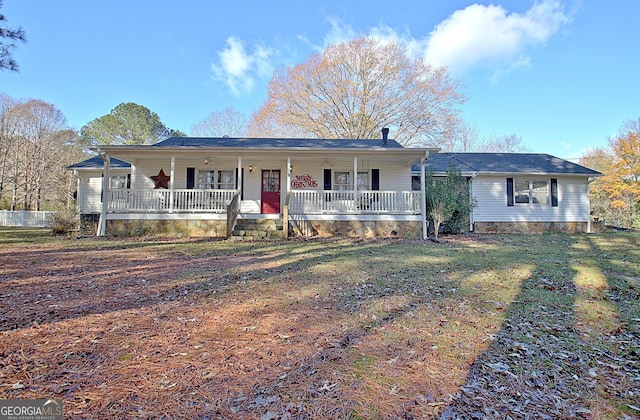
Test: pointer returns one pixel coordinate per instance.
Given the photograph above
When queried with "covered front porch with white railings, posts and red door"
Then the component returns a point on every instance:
(191, 179)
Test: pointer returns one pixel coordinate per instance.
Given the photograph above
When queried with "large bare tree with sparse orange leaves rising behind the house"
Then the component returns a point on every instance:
(353, 89)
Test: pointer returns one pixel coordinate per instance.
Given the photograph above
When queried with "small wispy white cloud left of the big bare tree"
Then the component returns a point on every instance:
(239, 69)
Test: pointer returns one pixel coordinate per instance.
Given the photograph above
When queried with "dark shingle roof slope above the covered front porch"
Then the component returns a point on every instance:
(269, 143)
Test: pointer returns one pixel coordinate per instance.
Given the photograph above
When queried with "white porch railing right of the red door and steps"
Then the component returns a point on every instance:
(389, 202)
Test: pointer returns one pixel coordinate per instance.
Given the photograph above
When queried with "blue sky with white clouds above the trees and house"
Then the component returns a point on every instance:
(561, 74)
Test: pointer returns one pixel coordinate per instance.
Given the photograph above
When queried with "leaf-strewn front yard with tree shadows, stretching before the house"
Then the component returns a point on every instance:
(499, 326)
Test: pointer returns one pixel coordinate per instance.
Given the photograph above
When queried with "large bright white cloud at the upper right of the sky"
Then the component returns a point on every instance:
(490, 36)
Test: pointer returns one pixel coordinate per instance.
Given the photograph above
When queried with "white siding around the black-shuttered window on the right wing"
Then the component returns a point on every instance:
(490, 194)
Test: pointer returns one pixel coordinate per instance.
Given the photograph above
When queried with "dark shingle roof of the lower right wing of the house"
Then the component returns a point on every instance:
(502, 163)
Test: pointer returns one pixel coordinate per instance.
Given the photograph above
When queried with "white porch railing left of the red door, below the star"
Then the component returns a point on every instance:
(165, 201)
